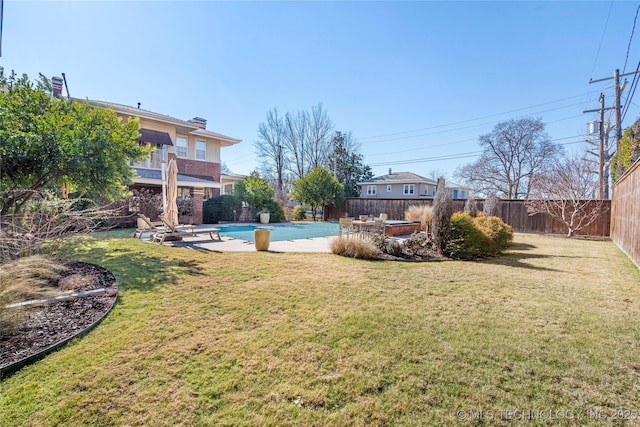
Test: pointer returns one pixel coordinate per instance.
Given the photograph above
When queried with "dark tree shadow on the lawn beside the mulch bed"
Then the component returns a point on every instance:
(134, 268)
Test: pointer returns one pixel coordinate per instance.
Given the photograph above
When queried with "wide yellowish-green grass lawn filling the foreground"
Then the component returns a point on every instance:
(550, 331)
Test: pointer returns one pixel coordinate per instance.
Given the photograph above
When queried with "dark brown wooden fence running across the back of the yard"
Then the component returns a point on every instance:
(513, 212)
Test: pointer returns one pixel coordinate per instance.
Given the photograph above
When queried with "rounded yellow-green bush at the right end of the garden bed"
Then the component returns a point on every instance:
(479, 237)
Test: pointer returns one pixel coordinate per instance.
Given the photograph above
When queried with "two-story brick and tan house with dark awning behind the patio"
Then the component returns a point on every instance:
(195, 149)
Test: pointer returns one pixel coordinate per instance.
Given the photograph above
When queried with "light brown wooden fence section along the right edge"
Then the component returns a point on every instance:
(625, 213)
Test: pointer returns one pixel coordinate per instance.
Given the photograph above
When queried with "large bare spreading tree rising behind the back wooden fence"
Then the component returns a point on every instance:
(513, 152)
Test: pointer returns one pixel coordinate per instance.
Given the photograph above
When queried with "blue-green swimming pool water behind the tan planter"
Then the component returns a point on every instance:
(286, 231)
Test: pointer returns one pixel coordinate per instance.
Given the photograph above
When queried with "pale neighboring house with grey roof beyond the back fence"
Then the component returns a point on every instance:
(406, 185)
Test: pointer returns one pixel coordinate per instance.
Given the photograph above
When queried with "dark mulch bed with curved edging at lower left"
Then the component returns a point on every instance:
(39, 327)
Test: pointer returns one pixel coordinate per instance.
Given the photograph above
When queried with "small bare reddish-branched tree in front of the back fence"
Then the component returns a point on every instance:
(567, 191)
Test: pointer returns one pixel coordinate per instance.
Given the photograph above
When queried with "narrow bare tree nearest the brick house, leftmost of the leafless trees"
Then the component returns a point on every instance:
(272, 150)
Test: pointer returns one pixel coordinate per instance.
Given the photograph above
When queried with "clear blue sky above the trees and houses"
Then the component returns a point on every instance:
(415, 82)
